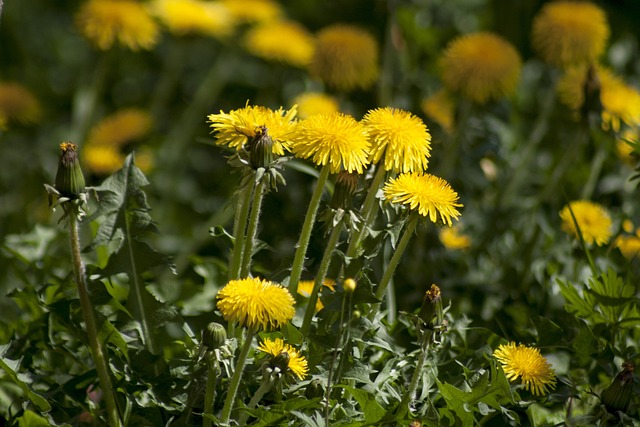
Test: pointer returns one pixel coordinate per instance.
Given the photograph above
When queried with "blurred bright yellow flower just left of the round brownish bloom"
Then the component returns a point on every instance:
(284, 41)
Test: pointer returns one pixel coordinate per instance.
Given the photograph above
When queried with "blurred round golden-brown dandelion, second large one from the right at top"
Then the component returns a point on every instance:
(481, 66)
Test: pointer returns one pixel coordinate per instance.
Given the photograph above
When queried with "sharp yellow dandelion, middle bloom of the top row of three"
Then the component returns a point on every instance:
(337, 139)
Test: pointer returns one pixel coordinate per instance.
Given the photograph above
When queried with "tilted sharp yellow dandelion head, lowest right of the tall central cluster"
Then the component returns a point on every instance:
(430, 195)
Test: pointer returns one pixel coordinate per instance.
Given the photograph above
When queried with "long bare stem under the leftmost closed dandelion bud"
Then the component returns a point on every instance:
(90, 322)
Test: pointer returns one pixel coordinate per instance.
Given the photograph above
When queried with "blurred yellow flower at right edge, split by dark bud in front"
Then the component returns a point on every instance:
(620, 102)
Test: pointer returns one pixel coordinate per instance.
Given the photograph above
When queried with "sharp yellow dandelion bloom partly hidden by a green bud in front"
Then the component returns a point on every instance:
(235, 128)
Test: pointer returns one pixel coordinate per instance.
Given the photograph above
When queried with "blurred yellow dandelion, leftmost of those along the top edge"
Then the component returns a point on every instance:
(128, 22)
